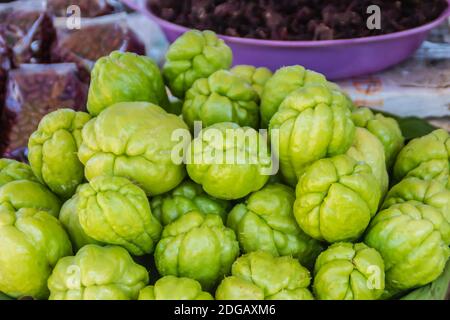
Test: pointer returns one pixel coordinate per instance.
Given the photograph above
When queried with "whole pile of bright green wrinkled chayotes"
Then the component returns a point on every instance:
(352, 214)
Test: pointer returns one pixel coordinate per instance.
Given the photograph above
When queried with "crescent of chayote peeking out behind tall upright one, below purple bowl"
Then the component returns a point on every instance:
(285, 81)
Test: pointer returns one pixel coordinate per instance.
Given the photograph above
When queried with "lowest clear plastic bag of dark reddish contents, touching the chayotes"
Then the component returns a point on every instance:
(33, 91)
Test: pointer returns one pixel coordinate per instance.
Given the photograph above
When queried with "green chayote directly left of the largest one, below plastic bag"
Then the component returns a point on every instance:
(52, 151)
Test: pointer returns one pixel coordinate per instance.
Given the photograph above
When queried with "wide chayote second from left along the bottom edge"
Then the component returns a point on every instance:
(97, 273)
